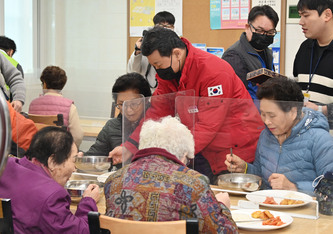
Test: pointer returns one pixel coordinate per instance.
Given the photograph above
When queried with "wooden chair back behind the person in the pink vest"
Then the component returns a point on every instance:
(42, 121)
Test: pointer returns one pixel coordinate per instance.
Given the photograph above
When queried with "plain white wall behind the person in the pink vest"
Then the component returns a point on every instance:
(88, 39)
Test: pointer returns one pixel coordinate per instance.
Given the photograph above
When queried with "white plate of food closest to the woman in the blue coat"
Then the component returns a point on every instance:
(278, 195)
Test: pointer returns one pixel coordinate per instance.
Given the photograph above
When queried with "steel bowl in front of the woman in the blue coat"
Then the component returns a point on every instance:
(239, 181)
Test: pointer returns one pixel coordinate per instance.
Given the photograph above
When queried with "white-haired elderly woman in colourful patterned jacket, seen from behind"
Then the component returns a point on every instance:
(157, 185)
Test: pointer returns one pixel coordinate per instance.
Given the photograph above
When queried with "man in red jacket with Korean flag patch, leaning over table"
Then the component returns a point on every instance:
(218, 102)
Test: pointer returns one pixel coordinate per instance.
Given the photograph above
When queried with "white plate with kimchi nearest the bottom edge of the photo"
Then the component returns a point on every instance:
(239, 215)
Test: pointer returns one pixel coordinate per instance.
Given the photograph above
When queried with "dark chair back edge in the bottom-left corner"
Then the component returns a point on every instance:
(6, 218)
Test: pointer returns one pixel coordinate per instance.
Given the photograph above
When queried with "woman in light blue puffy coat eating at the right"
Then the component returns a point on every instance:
(295, 147)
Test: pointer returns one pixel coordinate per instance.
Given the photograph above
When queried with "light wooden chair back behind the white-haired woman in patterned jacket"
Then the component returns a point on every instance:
(102, 224)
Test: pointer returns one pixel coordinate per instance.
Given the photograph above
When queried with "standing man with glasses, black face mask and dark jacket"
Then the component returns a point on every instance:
(251, 51)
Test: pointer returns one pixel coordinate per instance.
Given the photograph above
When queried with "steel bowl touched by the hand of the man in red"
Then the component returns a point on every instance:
(93, 164)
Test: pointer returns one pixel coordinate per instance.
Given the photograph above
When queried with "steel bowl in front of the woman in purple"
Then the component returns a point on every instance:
(76, 188)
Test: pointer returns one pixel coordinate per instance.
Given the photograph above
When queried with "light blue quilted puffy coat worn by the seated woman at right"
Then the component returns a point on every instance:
(304, 155)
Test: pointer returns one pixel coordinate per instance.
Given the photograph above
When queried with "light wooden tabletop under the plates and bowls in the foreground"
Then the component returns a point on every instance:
(323, 225)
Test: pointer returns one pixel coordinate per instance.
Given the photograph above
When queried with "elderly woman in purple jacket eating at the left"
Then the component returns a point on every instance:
(35, 185)
